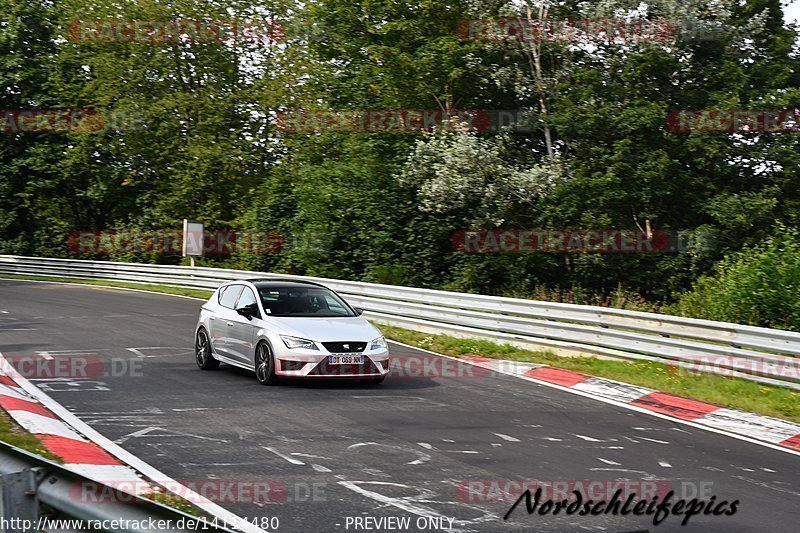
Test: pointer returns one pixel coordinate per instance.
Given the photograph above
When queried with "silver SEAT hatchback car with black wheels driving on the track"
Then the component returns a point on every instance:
(281, 328)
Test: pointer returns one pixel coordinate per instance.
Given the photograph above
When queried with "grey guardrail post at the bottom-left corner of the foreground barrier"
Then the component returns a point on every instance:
(18, 501)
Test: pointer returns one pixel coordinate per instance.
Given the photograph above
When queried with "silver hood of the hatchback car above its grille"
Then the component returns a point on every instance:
(327, 329)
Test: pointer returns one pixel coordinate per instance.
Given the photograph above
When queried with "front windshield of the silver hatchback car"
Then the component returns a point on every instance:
(303, 301)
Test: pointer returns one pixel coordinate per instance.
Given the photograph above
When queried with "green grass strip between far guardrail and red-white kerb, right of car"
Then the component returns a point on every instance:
(779, 402)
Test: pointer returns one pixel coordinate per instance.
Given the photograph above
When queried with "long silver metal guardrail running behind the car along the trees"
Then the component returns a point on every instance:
(759, 354)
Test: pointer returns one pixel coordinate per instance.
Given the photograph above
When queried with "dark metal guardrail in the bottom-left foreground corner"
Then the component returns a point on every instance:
(32, 487)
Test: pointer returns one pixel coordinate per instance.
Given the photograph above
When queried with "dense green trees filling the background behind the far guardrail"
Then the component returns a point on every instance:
(193, 129)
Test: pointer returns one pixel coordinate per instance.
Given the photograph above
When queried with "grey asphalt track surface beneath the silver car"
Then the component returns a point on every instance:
(340, 450)
